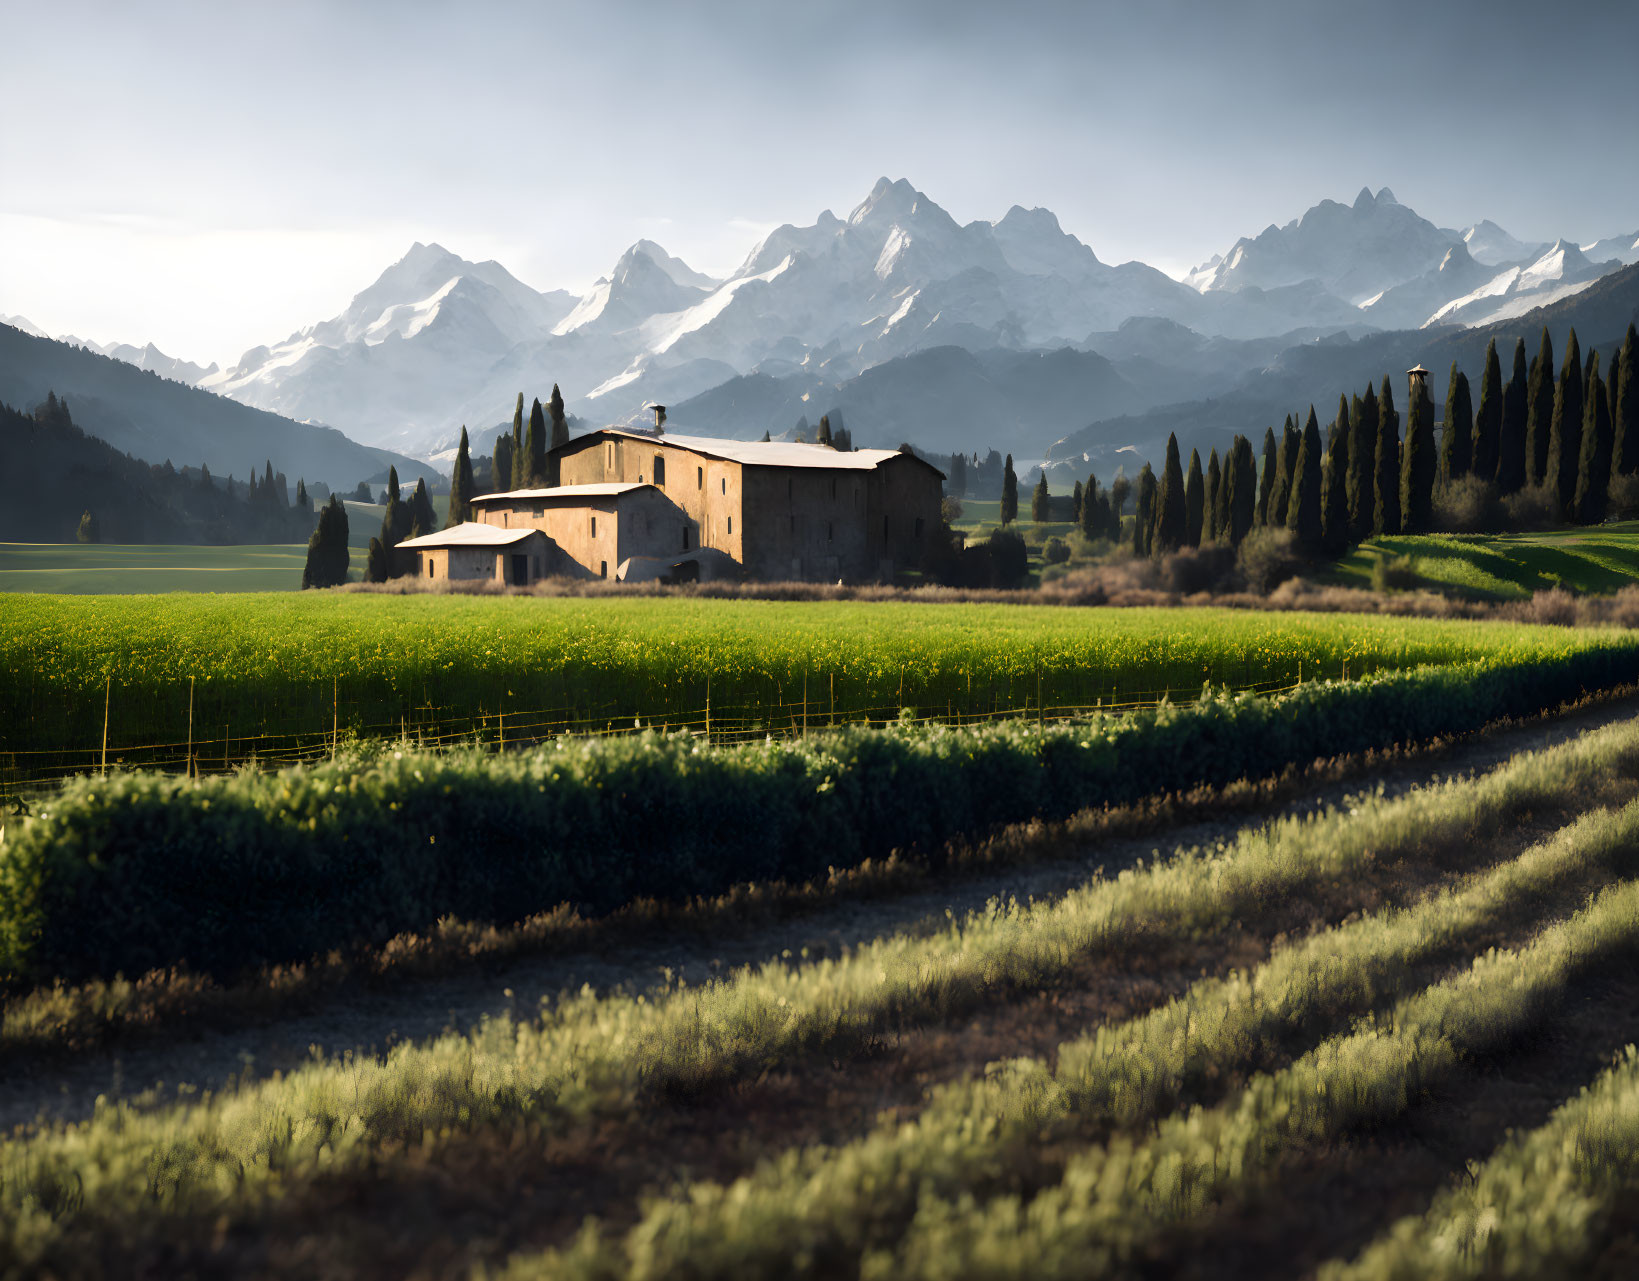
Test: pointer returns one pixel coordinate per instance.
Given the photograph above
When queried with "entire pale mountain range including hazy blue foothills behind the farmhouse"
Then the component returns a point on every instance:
(1007, 333)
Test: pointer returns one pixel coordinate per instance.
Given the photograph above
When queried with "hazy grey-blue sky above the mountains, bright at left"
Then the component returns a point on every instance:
(216, 176)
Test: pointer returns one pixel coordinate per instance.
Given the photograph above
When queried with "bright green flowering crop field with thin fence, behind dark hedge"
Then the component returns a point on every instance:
(224, 671)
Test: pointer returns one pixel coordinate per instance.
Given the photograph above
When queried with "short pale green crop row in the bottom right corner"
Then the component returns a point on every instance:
(1541, 1206)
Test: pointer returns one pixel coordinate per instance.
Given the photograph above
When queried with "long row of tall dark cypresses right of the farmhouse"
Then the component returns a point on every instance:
(1568, 437)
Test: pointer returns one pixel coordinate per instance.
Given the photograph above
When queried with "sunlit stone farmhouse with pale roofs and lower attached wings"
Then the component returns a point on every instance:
(638, 505)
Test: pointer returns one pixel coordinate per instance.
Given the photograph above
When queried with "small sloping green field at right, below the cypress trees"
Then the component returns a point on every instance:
(1597, 559)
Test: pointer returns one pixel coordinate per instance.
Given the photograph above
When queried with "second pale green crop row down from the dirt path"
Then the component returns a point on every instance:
(845, 1203)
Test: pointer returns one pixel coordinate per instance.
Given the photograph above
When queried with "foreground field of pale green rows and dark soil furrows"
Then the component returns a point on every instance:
(1384, 1039)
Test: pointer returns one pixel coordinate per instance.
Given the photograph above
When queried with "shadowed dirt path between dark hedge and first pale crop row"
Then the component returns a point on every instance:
(375, 1021)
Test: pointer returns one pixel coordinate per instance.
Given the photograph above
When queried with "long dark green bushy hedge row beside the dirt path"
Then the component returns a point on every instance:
(148, 871)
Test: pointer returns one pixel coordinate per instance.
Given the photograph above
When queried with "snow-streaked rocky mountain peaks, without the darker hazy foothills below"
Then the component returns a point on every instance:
(438, 342)
